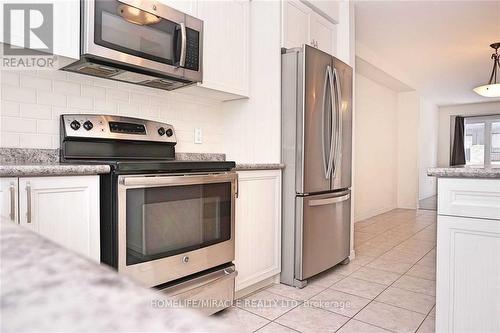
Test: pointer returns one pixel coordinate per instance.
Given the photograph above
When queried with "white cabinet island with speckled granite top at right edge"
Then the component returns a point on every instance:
(468, 249)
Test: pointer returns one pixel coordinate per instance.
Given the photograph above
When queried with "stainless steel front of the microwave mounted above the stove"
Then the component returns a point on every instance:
(144, 34)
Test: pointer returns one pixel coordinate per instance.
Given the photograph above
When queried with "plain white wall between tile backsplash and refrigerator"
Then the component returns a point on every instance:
(252, 127)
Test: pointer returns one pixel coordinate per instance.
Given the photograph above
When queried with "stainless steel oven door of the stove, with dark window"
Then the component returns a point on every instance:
(171, 226)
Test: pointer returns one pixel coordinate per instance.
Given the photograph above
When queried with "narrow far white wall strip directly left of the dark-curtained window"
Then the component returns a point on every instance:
(428, 148)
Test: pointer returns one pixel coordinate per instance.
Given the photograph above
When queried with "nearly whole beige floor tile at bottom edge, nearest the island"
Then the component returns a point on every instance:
(390, 317)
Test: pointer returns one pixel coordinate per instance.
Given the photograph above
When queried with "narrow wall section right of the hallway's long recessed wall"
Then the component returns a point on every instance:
(408, 110)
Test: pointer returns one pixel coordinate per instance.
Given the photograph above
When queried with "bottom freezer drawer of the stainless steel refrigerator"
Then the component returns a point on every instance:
(325, 232)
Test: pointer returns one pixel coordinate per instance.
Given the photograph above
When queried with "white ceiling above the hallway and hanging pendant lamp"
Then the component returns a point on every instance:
(440, 48)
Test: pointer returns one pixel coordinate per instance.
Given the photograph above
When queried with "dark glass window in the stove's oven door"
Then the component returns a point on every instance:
(166, 221)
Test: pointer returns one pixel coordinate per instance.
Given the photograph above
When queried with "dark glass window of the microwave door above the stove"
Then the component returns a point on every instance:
(136, 32)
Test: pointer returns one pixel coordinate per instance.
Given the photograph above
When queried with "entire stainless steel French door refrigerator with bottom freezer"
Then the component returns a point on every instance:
(316, 151)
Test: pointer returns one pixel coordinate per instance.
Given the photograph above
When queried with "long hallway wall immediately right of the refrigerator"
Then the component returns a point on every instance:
(375, 148)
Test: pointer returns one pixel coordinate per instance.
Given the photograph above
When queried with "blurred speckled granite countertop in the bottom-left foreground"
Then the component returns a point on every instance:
(46, 288)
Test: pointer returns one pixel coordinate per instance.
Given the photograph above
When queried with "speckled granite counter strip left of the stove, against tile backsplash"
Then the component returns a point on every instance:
(51, 169)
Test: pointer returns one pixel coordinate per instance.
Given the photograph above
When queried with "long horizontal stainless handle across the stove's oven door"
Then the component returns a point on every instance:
(152, 181)
